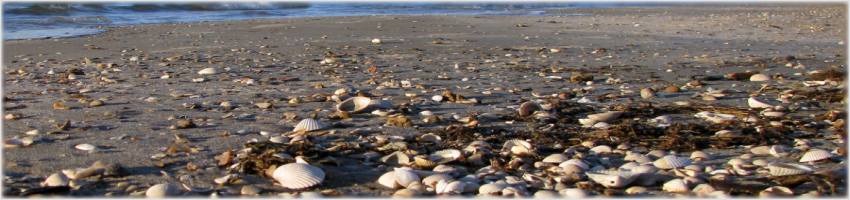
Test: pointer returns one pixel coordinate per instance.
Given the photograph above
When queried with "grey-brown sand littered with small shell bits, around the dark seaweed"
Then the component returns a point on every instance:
(644, 47)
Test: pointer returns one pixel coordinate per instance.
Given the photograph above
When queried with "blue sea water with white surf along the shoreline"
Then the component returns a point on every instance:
(51, 20)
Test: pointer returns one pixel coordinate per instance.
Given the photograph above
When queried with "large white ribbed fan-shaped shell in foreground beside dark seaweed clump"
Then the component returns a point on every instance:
(298, 175)
